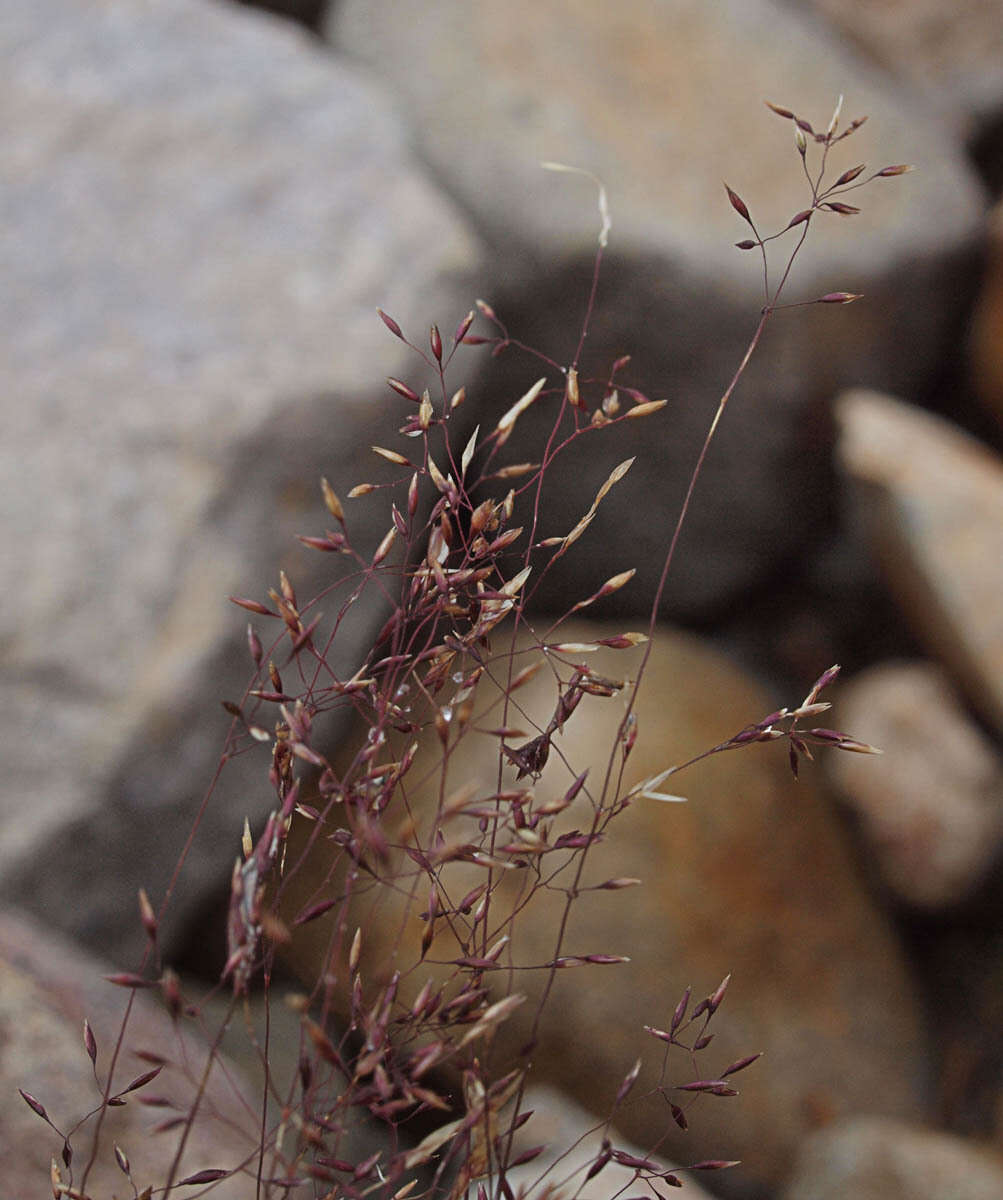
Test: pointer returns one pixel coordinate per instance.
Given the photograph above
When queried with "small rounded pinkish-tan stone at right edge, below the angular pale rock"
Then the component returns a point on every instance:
(932, 817)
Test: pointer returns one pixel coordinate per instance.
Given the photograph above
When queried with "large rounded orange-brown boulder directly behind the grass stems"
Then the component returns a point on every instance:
(752, 877)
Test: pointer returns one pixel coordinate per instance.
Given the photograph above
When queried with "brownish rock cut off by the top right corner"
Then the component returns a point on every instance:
(952, 57)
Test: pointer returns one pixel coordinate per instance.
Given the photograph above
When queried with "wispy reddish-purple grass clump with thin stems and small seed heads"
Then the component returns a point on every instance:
(375, 825)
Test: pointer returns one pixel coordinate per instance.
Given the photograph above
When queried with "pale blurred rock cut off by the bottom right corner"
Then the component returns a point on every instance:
(875, 1159)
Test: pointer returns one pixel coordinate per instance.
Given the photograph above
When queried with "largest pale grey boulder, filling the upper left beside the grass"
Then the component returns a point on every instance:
(201, 211)
